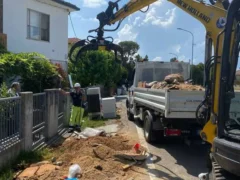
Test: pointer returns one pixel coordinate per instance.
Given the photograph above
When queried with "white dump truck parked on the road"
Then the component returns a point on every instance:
(168, 112)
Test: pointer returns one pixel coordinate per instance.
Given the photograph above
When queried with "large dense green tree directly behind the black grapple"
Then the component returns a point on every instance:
(97, 67)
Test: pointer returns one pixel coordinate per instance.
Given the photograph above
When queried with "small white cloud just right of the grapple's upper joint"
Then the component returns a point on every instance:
(126, 34)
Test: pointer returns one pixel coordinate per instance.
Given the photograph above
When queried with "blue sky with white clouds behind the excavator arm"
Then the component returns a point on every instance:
(155, 31)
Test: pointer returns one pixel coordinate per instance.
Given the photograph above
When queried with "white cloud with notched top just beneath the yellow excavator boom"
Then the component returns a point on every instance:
(152, 18)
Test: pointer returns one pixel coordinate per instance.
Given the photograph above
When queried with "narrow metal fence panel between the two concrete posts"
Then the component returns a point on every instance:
(39, 119)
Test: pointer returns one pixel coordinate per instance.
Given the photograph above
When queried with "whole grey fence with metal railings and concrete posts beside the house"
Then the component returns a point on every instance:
(29, 121)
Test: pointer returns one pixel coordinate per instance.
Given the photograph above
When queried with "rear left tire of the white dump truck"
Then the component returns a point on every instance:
(148, 127)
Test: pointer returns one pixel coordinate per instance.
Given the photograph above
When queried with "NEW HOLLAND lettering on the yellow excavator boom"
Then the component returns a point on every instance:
(194, 11)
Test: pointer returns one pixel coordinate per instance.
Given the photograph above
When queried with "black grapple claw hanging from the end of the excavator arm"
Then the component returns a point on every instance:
(99, 42)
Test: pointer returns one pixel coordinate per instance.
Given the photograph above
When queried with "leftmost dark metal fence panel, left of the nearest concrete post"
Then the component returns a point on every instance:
(10, 122)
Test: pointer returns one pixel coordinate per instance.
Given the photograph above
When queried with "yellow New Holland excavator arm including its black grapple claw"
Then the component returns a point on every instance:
(212, 16)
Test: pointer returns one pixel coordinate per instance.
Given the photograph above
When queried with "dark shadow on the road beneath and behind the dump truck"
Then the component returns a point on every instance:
(193, 158)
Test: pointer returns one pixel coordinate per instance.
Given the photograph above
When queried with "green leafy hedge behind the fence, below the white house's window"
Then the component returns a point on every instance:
(35, 71)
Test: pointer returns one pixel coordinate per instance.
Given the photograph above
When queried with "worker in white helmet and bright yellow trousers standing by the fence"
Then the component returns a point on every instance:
(77, 109)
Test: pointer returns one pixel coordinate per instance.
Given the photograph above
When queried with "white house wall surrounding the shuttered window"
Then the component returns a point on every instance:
(15, 26)
